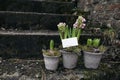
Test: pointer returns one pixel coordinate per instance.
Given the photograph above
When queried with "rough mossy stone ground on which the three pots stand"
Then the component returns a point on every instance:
(19, 69)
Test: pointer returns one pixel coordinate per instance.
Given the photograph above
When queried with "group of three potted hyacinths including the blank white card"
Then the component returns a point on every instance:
(70, 48)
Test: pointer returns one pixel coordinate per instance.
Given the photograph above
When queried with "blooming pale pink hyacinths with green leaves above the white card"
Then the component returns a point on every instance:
(75, 31)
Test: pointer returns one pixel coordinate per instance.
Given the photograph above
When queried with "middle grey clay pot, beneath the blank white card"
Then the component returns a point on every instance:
(69, 59)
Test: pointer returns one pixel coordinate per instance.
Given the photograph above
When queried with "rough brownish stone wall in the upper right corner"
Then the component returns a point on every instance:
(102, 12)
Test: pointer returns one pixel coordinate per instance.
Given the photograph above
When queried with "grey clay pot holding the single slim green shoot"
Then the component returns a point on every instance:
(51, 62)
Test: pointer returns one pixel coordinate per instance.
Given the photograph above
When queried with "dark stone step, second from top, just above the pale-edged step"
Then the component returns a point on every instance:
(33, 21)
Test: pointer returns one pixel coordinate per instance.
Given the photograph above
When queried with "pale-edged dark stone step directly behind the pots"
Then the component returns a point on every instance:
(26, 44)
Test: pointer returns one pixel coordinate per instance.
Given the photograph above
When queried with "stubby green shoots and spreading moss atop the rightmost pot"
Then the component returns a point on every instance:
(93, 45)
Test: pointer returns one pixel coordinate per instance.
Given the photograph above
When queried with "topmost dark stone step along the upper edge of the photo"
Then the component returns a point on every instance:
(41, 6)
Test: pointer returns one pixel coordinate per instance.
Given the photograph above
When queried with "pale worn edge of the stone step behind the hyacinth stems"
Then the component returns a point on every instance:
(41, 33)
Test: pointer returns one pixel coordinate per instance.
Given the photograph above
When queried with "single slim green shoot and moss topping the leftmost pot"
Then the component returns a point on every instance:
(51, 51)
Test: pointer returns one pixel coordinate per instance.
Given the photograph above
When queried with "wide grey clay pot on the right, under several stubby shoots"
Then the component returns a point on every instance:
(92, 60)
